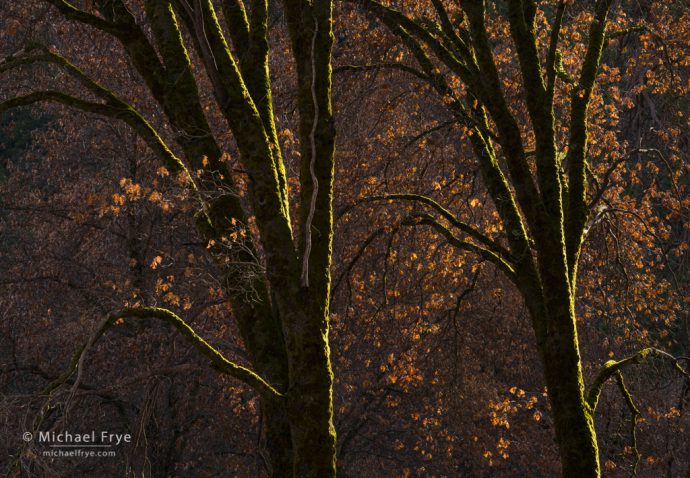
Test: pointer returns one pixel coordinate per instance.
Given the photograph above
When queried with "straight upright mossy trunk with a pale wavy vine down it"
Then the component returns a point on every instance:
(310, 405)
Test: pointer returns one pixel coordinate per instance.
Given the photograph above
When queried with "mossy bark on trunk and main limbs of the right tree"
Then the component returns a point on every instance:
(544, 214)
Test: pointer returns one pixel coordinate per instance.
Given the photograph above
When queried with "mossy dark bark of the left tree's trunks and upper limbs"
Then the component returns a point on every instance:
(283, 324)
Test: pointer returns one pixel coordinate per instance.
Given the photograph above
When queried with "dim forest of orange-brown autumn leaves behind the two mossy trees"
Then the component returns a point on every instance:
(436, 369)
